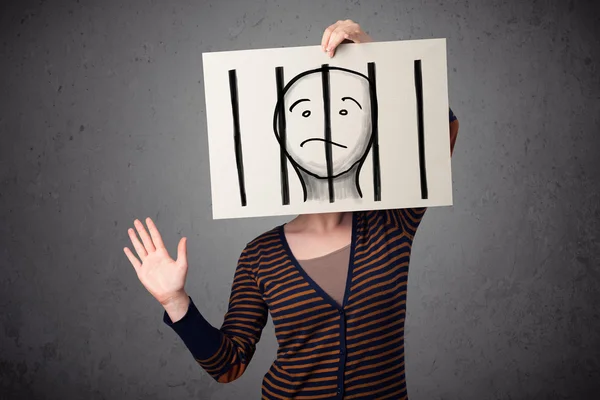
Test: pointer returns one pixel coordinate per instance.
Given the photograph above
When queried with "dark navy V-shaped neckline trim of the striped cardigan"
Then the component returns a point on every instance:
(326, 297)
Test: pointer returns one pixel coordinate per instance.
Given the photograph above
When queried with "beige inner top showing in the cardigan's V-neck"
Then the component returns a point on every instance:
(330, 272)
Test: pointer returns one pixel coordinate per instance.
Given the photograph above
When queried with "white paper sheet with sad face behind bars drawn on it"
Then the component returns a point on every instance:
(347, 135)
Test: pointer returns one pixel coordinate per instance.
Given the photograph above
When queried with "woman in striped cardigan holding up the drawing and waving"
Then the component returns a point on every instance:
(337, 338)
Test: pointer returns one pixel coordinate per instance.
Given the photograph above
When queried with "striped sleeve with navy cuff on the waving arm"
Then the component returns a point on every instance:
(226, 352)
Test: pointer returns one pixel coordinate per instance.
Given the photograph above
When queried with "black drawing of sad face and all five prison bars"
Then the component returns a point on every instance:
(334, 172)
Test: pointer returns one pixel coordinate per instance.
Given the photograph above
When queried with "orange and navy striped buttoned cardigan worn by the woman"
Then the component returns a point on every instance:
(355, 351)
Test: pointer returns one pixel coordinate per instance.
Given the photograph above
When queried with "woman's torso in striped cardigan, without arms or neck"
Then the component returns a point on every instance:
(330, 350)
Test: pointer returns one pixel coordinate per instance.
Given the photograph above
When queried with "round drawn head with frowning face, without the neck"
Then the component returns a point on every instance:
(349, 146)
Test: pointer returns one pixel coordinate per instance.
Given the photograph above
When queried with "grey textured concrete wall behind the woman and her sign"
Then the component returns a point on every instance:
(102, 121)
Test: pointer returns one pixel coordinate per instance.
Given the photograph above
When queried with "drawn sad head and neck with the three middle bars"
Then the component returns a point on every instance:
(325, 121)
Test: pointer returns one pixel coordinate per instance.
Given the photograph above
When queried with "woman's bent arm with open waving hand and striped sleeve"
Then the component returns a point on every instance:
(224, 353)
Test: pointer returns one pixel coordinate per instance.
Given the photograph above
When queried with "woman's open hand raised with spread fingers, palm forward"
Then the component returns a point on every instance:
(162, 276)
